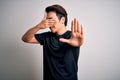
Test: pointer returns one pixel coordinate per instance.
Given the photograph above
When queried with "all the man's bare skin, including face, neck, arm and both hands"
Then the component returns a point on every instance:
(57, 26)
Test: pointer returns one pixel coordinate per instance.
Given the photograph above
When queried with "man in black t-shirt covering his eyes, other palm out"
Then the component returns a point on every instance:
(60, 46)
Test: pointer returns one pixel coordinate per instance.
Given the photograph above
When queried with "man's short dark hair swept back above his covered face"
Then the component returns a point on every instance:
(59, 10)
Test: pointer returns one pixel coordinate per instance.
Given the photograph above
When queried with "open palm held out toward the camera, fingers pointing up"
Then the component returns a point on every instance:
(77, 35)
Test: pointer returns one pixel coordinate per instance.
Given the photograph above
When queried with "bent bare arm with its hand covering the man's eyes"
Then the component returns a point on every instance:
(29, 37)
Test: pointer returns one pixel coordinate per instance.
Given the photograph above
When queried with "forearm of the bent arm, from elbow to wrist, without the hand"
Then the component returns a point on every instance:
(30, 34)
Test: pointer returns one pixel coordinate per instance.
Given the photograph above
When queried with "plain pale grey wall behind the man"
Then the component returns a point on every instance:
(99, 56)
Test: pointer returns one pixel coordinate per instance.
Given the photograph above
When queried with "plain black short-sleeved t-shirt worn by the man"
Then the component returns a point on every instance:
(59, 59)
